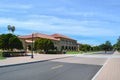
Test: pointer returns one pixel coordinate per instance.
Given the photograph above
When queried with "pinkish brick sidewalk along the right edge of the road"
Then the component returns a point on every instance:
(111, 69)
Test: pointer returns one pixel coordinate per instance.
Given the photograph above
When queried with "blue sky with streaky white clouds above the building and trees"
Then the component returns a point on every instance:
(88, 21)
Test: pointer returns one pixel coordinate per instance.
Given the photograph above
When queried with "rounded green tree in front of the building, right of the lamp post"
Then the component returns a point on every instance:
(43, 44)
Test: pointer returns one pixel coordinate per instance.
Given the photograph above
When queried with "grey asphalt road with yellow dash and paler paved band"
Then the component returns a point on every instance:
(72, 68)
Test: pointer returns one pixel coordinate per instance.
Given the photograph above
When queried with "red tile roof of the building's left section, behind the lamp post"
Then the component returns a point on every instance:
(38, 35)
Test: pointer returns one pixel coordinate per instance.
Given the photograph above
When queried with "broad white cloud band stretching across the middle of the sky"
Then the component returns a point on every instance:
(53, 24)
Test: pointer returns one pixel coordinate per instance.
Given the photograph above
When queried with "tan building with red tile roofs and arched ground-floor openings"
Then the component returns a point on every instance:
(61, 42)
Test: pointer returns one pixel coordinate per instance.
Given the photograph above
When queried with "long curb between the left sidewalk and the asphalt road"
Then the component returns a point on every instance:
(32, 62)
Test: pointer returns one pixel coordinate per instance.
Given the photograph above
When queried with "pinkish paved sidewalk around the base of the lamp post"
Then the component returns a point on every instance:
(28, 59)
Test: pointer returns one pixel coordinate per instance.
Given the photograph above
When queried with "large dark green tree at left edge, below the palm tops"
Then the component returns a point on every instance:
(10, 42)
